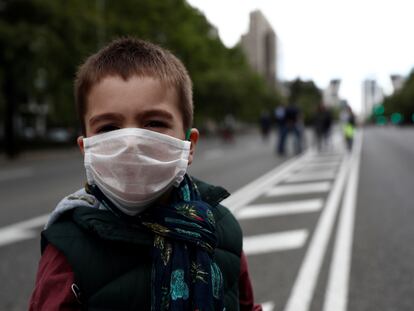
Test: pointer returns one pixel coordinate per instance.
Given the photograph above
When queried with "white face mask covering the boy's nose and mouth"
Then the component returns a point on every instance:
(133, 167)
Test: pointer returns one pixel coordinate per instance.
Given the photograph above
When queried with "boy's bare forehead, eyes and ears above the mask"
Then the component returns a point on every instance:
(140, 102)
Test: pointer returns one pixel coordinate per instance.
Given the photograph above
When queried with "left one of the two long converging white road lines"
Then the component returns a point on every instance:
(304, 287)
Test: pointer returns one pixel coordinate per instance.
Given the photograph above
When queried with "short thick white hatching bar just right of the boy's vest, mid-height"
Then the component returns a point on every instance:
(273, 242)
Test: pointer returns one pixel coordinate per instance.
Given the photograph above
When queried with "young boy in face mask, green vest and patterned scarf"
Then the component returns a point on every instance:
(142, 234)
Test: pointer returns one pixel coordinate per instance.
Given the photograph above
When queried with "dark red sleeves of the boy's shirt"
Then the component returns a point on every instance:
(53, 287)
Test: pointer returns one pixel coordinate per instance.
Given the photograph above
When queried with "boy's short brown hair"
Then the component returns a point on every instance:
(126, 57)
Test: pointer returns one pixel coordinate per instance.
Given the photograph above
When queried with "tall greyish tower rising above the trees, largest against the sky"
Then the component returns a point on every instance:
(259, 45)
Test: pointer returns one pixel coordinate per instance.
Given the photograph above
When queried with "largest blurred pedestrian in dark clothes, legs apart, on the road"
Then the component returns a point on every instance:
(291, 124)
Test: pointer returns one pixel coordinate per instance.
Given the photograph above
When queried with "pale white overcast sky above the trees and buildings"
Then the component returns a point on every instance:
(325, 39)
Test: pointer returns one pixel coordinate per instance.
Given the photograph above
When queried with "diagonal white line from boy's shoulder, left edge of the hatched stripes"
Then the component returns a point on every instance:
(257, 187)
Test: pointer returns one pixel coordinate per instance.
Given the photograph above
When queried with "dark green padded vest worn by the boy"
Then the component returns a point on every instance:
(111, 260)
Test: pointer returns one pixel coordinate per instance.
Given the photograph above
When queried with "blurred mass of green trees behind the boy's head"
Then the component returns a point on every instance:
(43, 41)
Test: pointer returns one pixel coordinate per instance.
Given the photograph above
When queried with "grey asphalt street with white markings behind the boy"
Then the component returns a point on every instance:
(324, 231)
